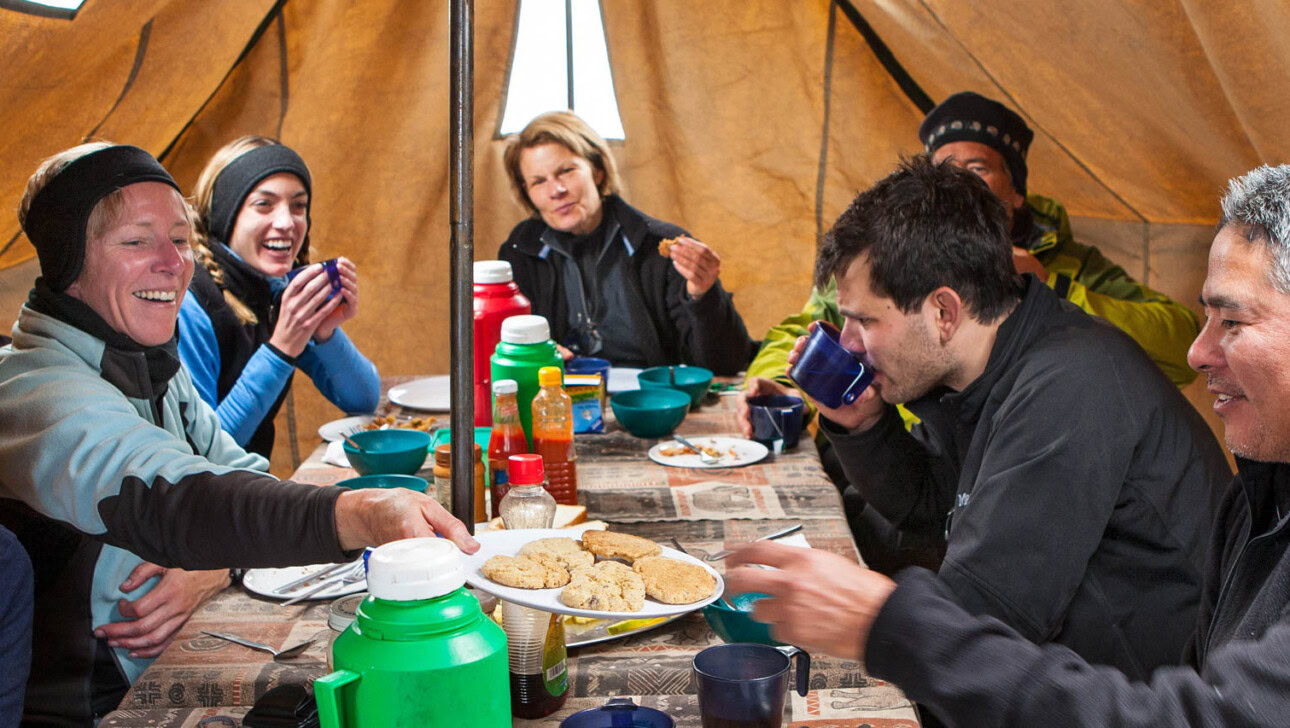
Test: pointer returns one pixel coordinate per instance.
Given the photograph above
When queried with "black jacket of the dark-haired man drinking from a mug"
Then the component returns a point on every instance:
(1079, 483)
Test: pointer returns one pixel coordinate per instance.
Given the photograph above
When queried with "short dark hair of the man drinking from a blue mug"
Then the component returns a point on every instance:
(924, 227)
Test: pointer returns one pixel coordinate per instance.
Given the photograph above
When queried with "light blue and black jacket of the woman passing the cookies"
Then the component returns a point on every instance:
(103, 469)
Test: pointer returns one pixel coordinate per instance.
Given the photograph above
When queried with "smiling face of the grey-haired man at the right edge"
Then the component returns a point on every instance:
(1244, 349)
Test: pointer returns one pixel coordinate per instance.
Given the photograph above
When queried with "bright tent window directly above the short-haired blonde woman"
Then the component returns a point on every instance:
(541, 69)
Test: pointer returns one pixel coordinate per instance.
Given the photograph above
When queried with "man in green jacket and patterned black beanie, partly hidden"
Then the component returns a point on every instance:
(989, 139)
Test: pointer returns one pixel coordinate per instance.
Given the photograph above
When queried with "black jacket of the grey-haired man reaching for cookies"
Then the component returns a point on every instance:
(981, 673)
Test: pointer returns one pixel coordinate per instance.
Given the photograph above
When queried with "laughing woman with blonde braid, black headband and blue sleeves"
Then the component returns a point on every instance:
(246, 329)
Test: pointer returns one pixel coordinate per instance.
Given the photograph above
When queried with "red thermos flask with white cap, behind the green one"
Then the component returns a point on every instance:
(497, 299)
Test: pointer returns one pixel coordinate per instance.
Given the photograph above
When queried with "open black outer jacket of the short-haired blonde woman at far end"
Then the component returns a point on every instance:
(706, 332)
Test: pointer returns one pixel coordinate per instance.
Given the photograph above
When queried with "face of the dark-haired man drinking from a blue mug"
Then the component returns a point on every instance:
(902, 349)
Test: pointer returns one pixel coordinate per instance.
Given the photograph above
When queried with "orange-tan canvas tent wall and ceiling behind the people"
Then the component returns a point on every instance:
(749, 122)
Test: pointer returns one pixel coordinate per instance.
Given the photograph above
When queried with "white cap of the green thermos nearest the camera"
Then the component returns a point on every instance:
(415, 569)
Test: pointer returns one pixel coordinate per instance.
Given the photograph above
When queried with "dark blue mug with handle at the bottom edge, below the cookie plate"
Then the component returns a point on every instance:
(746, 685)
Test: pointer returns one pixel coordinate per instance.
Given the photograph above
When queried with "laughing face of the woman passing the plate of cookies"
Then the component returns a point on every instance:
(139, 270)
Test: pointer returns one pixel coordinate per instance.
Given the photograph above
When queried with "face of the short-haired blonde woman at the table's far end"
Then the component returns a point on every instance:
(563, 187)
